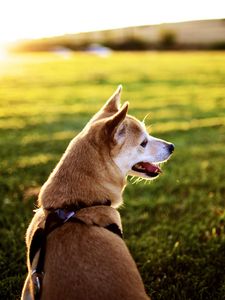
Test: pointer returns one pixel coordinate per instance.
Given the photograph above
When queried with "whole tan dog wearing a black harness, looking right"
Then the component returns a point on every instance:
(87, 259)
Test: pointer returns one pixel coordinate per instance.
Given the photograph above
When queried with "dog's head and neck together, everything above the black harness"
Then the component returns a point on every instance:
(111, 146)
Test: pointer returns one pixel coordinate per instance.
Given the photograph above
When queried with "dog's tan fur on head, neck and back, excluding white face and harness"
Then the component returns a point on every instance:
(87, 261)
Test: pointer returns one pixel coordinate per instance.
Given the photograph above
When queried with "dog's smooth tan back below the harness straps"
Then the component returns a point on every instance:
(89, 263)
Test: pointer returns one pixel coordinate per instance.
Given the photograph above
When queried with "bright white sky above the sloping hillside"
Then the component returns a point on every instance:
(21, 19)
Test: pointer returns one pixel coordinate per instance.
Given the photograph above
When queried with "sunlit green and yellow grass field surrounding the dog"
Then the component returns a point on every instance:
(175, 226)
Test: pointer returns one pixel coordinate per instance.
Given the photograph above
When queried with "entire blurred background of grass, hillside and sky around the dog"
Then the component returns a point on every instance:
(59, 62)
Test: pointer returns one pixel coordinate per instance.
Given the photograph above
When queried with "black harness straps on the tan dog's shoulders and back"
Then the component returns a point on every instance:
(55, 218)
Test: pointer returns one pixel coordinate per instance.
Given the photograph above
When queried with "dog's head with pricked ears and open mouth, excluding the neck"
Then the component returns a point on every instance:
(132, 149)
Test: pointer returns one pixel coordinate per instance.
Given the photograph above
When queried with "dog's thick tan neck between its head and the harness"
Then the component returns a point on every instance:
(91, 179)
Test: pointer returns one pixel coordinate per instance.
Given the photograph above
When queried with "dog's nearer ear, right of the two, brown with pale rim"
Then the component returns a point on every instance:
(115, 127)
